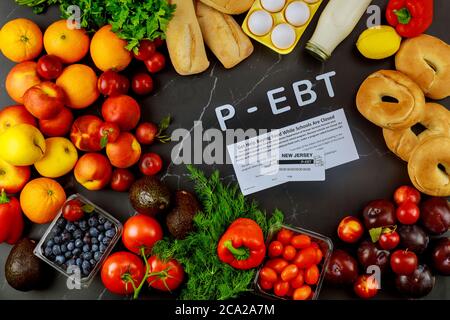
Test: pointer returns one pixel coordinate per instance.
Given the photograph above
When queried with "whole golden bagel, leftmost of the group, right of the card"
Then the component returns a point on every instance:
(402, 114)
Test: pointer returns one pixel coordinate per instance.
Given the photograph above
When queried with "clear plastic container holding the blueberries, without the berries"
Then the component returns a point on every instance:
(83, 281)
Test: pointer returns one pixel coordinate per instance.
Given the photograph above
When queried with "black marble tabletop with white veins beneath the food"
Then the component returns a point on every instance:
(313, 205)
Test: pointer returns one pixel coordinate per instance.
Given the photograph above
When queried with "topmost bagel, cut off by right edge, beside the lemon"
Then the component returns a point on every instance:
(426, 60)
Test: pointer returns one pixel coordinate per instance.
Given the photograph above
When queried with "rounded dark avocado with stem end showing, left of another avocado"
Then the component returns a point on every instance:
(149, 195)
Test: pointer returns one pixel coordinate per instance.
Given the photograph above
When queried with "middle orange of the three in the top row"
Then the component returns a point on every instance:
(70, 45)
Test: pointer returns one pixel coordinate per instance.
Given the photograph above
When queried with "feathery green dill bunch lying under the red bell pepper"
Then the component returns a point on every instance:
(208, 277)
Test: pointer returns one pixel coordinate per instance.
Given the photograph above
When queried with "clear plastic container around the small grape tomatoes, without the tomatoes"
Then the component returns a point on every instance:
(325, 244)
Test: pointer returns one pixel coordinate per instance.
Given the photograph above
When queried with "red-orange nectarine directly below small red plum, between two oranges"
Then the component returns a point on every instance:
(45, 100)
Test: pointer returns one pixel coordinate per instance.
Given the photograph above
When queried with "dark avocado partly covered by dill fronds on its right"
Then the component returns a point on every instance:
(180, 219)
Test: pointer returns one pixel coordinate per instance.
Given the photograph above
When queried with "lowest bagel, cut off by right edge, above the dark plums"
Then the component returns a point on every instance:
(429, 166)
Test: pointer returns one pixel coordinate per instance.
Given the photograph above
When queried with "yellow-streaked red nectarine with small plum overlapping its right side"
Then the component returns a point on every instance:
(84, 133)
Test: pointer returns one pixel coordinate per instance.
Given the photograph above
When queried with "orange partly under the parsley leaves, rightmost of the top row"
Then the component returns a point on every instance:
(108, 50)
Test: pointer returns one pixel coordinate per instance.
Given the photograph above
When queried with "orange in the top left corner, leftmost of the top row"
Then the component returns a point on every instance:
(21, 40)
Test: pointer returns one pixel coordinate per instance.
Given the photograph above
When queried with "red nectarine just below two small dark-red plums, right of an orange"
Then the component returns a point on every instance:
(123, 111)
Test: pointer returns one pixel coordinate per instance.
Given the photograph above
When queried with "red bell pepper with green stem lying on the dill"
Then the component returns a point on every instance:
(242, 245)
